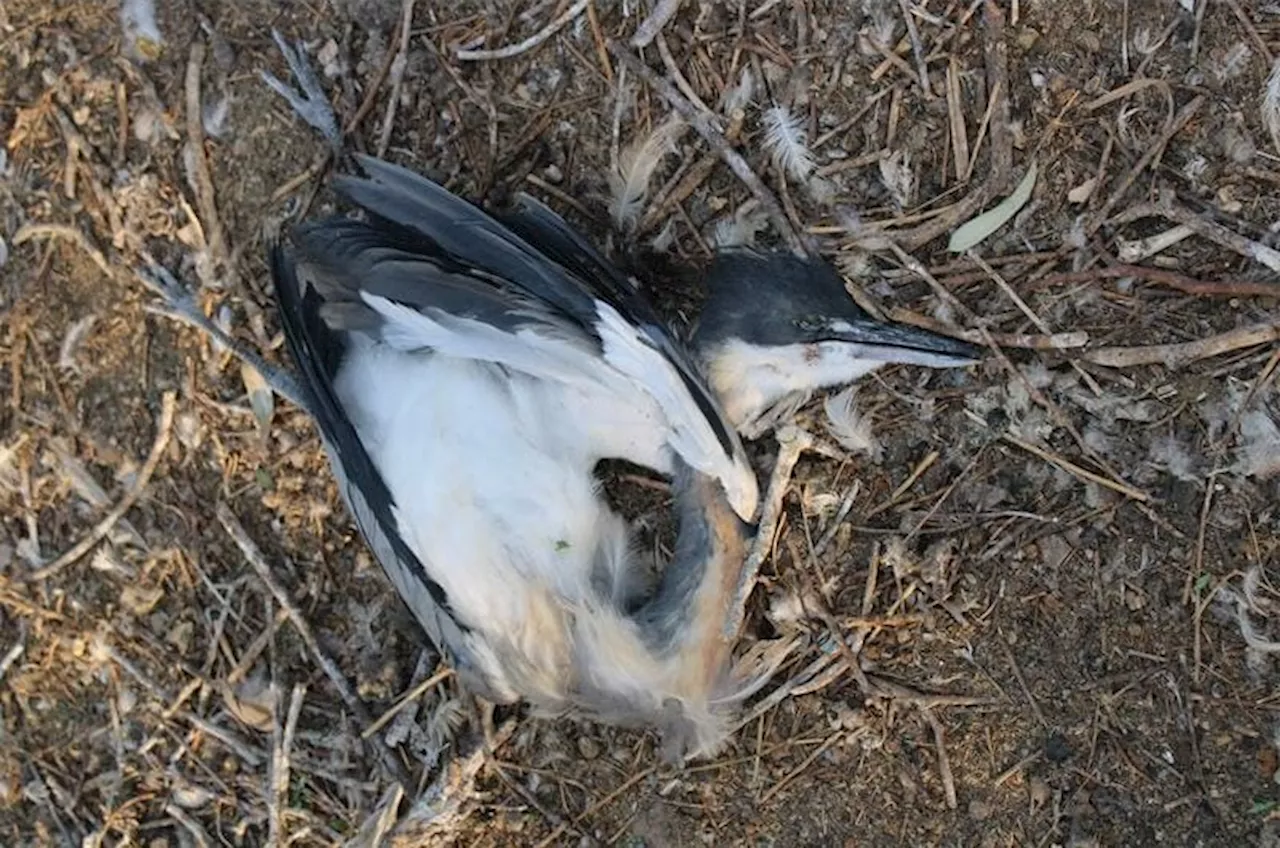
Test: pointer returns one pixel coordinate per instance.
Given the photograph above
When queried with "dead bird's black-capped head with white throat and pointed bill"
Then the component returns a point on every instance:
(778, 327)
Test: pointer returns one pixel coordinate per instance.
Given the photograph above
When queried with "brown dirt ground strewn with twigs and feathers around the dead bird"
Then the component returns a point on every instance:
(1043, 563)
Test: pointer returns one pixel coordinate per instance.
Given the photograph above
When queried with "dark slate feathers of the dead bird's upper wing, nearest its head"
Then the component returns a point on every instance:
(431, 250)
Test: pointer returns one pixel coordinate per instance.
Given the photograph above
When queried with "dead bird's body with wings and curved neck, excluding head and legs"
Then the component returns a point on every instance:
(467, 381)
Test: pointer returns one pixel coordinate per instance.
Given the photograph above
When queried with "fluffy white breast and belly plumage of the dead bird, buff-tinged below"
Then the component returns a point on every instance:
(496, 498)
